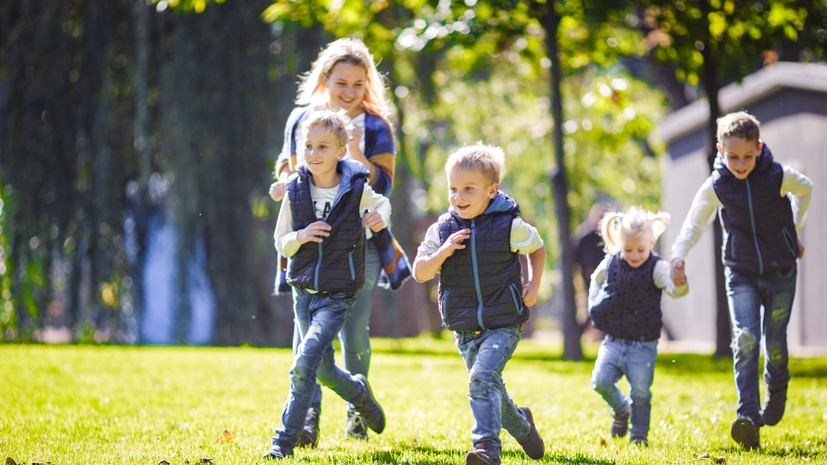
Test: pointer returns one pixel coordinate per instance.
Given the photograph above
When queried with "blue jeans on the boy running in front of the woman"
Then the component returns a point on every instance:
(319, 318)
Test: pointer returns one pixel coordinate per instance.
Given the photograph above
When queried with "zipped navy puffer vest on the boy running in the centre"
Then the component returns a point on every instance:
(480, 286)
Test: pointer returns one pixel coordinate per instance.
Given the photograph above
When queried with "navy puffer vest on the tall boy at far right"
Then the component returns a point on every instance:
(759, 232)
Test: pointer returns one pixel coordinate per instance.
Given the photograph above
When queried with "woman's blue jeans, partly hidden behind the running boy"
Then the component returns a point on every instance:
(355, 334)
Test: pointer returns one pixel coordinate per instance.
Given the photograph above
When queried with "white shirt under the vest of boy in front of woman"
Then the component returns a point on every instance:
(286, 239)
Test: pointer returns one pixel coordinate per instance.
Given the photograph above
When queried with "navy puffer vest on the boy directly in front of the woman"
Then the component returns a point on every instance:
(336, 264)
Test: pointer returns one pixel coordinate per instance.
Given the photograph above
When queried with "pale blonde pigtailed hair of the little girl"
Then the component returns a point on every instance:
(615, 227)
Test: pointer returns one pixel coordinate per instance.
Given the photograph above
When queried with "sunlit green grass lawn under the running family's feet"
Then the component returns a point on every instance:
(142, 405)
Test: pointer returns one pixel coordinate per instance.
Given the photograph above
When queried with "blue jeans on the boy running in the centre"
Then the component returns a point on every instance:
(485, 354)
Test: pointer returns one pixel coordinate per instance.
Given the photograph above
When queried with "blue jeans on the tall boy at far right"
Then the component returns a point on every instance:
(759, 308)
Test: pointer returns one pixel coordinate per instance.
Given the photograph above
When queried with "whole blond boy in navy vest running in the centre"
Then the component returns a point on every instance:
(474, 247)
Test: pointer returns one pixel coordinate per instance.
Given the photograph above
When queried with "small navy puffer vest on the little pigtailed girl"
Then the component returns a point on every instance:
(629, 307)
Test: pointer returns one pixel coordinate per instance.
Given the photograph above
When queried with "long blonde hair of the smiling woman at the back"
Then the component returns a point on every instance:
(312, 85)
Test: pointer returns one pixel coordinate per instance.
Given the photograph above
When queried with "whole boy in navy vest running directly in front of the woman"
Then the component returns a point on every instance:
(321, 228)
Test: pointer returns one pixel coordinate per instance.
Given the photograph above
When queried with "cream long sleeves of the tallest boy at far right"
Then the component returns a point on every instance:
(706, 204)
